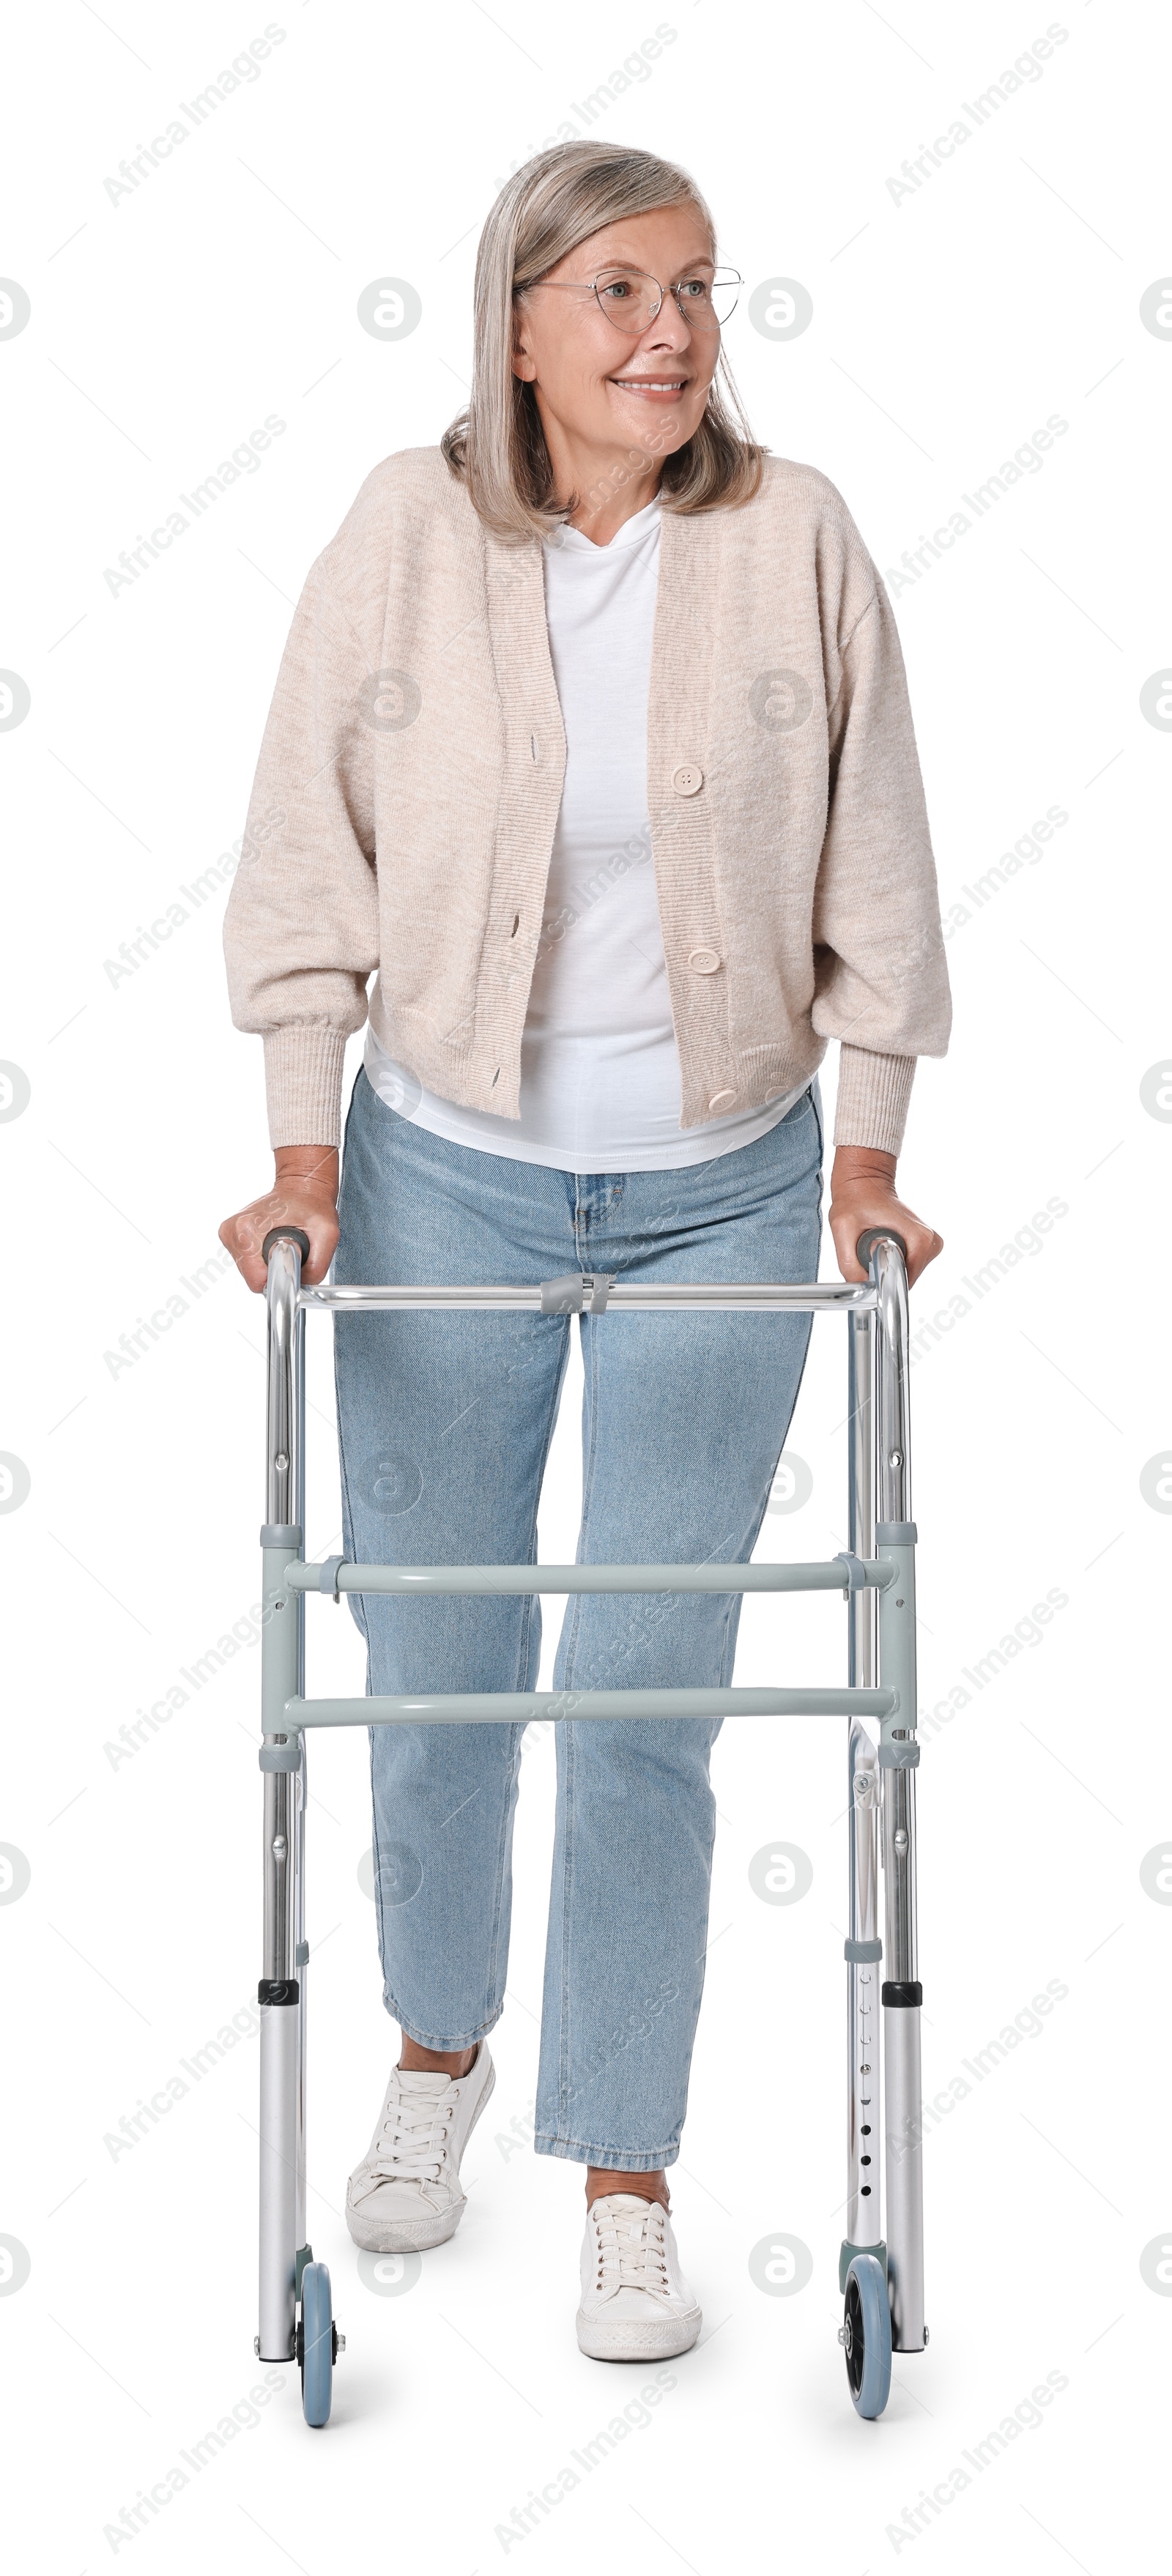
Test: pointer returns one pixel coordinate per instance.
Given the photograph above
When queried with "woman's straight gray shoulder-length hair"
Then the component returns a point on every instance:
(498, 447)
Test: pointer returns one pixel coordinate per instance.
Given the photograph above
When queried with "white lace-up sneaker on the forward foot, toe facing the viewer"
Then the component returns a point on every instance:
(635, 2299)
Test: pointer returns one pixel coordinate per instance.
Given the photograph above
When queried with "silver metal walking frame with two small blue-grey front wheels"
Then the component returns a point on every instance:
(882, 2278)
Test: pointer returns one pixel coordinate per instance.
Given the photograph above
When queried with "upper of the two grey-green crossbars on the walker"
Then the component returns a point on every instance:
(818, 1578)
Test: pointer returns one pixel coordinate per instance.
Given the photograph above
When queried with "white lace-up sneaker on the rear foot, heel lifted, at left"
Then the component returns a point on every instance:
(406, 2193)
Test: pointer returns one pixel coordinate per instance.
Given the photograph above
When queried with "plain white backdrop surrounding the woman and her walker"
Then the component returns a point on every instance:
(947, 328)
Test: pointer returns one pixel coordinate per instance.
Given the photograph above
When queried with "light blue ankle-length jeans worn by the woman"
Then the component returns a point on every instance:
(444, 1434)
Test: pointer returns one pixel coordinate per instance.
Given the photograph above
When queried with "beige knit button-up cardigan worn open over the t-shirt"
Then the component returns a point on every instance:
(411, 777)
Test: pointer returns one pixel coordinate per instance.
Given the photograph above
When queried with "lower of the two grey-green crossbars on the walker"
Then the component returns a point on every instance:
(522, 1707)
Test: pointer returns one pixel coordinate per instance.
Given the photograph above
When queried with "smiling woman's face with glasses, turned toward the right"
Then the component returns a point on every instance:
(619, 388)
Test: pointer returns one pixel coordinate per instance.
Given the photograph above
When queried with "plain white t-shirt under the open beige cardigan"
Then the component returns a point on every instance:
(599, 1060)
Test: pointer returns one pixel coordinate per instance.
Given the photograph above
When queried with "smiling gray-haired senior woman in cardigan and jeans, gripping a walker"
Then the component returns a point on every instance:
(594, 746)
